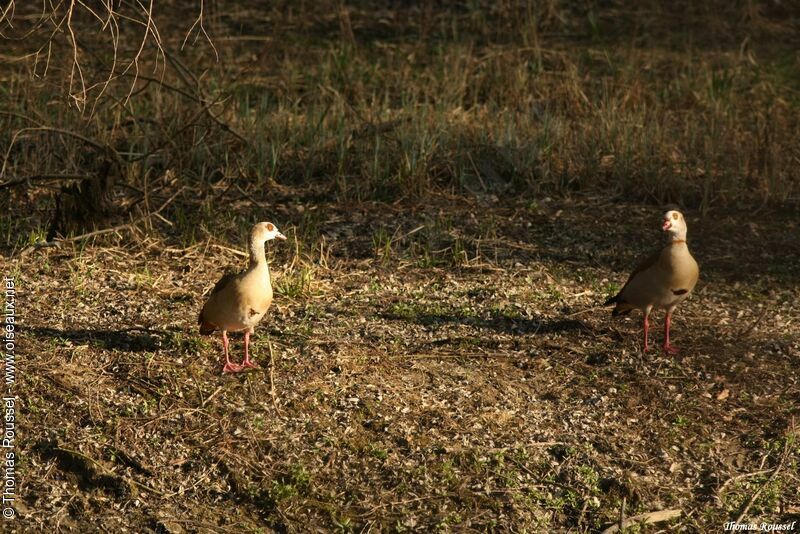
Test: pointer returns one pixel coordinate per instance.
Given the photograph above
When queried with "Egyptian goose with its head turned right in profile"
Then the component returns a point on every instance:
(239, 301)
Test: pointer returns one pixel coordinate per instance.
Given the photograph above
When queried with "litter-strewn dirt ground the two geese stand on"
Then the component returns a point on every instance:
(435, 367)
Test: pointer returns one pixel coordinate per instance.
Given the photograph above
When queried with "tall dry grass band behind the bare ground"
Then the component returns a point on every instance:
(698, 108)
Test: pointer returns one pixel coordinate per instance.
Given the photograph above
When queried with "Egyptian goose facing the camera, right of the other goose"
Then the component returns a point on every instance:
(663, 280)
